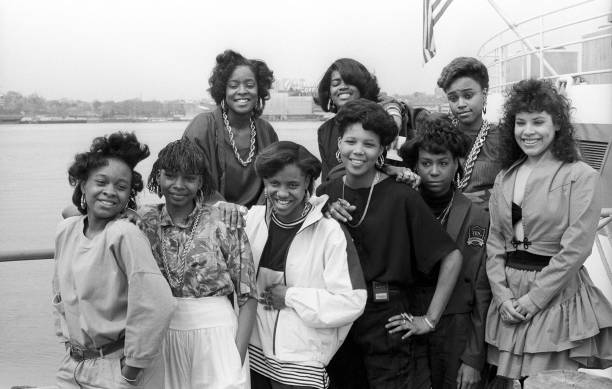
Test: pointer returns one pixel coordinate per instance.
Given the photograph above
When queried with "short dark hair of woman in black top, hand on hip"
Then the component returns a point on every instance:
(372, 118)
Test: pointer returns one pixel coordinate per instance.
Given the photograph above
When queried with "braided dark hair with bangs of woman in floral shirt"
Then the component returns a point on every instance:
(183, 157)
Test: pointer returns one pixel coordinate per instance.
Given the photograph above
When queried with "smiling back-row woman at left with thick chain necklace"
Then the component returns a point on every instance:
(233, 134)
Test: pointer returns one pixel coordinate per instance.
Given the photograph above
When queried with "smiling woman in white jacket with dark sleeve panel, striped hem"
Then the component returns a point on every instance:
(308, 270)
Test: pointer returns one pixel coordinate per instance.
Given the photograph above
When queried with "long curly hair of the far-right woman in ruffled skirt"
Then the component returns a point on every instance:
(537, 96)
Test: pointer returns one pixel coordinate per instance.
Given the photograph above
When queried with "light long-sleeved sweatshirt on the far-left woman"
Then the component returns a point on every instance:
(109, 287)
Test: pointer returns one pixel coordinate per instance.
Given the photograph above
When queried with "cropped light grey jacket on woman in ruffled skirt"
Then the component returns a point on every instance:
(561, 209)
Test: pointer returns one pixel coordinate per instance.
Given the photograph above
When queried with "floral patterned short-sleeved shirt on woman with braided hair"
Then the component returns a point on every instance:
(219, 260)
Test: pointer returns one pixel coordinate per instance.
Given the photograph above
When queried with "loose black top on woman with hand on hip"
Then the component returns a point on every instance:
(399, 234)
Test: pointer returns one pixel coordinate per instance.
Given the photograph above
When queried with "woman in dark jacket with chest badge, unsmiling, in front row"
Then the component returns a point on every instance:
(453, 355)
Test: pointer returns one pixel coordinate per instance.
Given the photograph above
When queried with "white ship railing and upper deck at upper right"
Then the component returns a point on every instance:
(495, 52)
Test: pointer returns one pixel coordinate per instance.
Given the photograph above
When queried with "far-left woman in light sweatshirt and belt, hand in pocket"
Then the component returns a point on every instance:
(112, 305)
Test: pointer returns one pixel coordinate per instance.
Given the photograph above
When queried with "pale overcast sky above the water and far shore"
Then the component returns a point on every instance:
(164, 50)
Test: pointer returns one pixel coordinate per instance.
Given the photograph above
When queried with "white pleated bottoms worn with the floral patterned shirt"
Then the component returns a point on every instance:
(199, 350)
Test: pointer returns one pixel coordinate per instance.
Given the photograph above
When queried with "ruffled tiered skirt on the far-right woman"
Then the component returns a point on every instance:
(573, 331)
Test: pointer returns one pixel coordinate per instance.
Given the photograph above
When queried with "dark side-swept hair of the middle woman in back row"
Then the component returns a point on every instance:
(353, 73)
